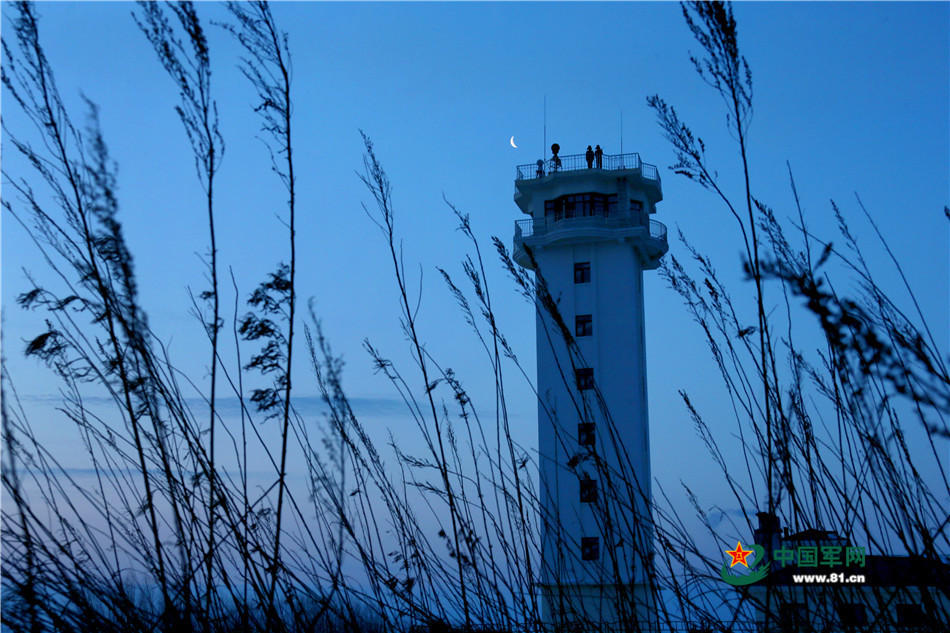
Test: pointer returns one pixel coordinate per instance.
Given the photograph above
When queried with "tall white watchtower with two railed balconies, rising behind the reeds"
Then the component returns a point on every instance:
(589, 238)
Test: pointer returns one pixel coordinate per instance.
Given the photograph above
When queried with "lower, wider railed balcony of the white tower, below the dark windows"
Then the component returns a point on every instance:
(647, 236)
